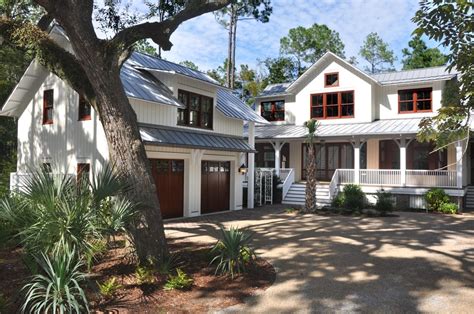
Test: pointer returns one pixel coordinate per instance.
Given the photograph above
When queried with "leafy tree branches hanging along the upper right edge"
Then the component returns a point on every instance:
(452, 24)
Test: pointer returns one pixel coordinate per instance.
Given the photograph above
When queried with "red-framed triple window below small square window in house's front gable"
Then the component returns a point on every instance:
(332, 105)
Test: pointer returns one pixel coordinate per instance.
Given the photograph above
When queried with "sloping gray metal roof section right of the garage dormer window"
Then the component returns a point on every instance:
(233, 107)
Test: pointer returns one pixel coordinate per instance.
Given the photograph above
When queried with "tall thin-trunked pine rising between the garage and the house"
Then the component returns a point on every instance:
(228, 17)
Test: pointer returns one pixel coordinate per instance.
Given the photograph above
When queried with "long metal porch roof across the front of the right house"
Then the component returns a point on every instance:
(379, 127)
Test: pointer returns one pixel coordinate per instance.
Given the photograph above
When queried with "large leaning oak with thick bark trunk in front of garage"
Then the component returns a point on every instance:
(94, 71)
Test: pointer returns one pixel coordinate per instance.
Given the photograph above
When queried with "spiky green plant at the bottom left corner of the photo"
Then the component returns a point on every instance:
(57, 288)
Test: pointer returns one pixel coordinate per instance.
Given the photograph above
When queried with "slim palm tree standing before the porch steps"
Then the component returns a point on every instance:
(310, 203)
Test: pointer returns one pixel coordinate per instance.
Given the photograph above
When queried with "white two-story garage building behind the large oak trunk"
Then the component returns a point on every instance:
(192, 128)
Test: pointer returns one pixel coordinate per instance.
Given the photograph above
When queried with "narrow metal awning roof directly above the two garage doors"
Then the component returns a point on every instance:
(176, 137)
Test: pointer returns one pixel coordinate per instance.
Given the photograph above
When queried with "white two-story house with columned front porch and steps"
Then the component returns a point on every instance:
(368, 125)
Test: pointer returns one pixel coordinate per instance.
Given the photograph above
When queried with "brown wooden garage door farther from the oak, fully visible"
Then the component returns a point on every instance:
(215, 186)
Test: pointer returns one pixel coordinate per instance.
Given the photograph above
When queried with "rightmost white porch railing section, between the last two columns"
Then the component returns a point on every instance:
(430, 178)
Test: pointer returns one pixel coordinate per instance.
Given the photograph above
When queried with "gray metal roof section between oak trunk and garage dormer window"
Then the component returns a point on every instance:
(142, 85)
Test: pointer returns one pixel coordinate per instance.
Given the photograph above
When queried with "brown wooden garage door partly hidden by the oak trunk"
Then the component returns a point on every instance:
(169, 180)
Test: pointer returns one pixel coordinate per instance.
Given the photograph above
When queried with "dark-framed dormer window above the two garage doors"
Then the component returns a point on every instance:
(198, 112)
